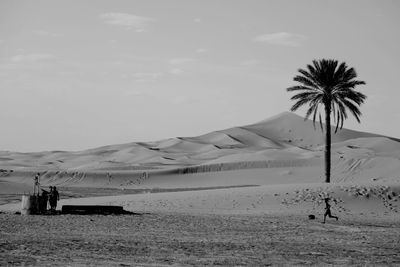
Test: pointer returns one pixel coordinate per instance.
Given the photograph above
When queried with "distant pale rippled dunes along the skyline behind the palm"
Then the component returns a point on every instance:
(284, 136)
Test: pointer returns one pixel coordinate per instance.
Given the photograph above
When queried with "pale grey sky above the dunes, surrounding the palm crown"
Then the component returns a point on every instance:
(81, 74)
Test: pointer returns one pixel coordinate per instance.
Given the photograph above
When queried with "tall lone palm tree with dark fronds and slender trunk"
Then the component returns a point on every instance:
(330, 85)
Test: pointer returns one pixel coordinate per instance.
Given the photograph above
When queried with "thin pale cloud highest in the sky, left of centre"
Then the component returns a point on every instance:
(127, 20)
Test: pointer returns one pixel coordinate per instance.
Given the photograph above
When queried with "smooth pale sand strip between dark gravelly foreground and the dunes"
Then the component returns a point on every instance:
(372, 200)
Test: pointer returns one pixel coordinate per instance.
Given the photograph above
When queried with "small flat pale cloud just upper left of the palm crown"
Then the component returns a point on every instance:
(281, 38)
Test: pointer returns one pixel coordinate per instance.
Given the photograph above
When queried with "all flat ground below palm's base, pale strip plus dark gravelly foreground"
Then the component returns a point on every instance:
(240, 226)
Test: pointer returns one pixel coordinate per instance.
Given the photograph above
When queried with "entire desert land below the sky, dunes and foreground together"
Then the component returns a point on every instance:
(234, 197)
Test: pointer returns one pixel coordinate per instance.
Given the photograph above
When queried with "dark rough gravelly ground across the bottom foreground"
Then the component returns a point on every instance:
(187, 239)
